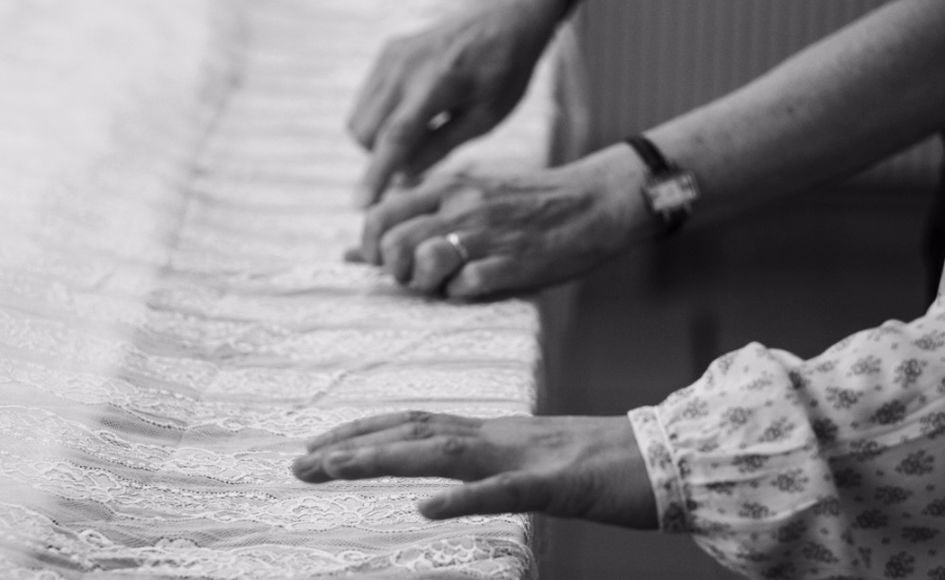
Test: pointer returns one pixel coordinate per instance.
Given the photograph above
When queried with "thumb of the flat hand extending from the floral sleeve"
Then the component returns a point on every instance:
(511, 492)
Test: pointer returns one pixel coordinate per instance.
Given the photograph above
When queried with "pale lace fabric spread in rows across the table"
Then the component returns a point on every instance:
(175, 319)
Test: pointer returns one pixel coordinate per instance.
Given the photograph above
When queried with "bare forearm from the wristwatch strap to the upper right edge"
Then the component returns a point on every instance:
(841, 105)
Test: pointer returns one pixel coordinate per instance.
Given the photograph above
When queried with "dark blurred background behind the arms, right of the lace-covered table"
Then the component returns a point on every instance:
(799, 274)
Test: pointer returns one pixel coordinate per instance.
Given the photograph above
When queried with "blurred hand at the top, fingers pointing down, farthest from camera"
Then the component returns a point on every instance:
(434, 90)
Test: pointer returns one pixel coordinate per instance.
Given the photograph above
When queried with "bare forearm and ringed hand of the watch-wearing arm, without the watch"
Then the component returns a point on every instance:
(838, 106)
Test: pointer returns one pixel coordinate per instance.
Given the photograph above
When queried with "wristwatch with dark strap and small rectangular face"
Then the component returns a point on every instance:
(669, 190)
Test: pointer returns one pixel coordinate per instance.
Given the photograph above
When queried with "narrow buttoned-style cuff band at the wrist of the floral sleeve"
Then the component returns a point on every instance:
(661, 469)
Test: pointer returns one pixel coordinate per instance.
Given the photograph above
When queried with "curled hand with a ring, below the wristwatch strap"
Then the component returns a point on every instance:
(519, 233)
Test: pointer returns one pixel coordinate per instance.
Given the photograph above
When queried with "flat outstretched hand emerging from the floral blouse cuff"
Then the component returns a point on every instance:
(576, 467)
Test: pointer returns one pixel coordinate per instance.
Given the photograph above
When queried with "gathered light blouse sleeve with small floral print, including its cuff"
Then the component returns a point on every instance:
(828, 468)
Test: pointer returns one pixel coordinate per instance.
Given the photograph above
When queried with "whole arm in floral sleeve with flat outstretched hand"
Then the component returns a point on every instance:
(780, 468)
